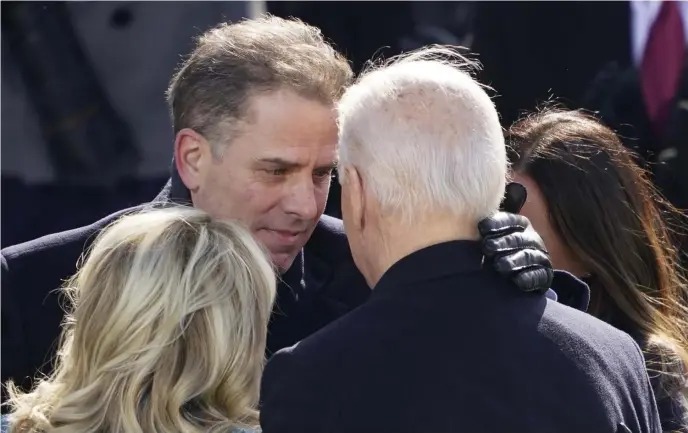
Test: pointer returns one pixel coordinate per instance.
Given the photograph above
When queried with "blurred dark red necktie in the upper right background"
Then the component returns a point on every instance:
(663, 63)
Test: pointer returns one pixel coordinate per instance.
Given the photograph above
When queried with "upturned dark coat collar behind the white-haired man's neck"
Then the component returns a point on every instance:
(435, 261)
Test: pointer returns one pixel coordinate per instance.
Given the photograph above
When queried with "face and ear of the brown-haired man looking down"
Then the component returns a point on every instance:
(274, 174)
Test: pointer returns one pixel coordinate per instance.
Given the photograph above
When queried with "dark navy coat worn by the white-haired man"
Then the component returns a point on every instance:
(441, 347)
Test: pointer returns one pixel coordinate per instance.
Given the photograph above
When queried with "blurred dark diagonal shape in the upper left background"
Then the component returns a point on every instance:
(87, 140)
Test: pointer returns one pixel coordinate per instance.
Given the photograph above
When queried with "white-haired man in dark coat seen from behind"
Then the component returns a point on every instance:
(443, 345)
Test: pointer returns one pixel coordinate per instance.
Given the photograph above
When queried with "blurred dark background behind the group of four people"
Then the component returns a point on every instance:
(86, 132)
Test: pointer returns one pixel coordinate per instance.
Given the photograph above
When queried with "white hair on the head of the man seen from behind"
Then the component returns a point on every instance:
(425, 136)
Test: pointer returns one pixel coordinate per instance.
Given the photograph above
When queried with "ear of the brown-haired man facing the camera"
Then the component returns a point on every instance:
(190, 155)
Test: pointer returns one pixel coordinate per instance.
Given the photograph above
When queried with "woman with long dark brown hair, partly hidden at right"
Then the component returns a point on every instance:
(602, 220)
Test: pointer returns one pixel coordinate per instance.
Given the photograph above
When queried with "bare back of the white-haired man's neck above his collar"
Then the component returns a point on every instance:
(400, 240)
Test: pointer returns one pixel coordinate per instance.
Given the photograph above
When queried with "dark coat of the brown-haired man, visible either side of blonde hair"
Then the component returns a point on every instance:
(322, 285)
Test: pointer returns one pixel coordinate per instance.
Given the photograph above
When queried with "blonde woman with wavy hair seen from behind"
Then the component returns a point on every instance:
(166, 332)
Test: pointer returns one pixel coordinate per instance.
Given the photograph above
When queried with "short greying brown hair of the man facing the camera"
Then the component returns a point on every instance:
(232, 62)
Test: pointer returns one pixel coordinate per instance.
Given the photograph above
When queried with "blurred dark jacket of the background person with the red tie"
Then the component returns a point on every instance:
(579, 53)
